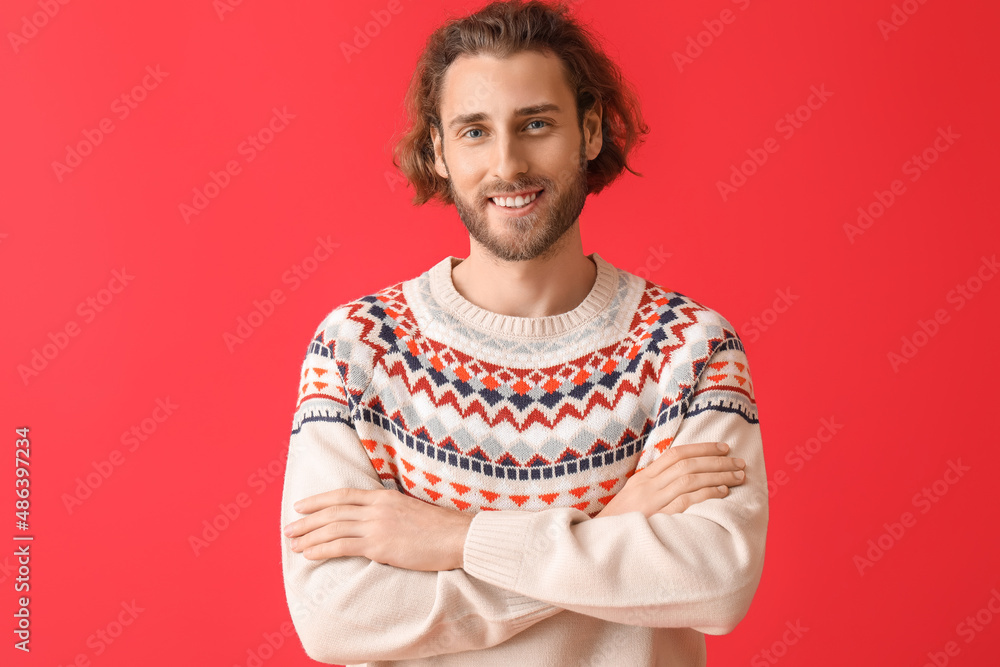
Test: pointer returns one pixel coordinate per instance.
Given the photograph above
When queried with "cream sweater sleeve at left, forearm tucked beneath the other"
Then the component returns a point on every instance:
(352, 609)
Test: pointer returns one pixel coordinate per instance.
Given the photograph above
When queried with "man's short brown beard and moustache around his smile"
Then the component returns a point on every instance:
(535, 234)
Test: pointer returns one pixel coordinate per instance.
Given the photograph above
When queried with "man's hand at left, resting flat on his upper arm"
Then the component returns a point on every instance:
(382, 525)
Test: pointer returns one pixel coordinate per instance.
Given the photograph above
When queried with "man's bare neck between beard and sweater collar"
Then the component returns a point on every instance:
(533, 288)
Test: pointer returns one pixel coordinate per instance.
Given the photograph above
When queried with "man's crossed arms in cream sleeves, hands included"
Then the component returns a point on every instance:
(464, 583)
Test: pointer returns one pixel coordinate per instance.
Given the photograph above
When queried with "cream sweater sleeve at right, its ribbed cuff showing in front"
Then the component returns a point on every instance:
(697, 569)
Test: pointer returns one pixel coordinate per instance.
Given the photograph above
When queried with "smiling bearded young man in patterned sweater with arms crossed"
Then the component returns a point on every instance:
(526, 456)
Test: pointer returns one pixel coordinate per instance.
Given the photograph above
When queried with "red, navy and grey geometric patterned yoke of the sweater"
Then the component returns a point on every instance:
(471, 433)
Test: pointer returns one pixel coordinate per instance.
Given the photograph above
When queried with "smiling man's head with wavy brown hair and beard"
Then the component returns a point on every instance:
(516, 98)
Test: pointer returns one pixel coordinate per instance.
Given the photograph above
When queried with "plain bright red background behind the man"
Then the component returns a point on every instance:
(328, 174)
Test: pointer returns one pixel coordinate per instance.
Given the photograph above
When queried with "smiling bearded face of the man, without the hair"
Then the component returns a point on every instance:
(496, 143)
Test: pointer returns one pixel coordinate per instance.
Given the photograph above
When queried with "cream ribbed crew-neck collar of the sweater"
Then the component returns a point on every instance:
(600, 295)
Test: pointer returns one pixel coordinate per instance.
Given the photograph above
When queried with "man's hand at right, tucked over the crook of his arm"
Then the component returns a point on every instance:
(679, 478)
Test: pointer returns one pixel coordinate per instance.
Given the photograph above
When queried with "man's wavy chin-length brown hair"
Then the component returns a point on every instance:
(502, 29)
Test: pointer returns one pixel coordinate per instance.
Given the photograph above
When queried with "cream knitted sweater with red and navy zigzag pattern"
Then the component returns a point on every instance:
(532, 425)
